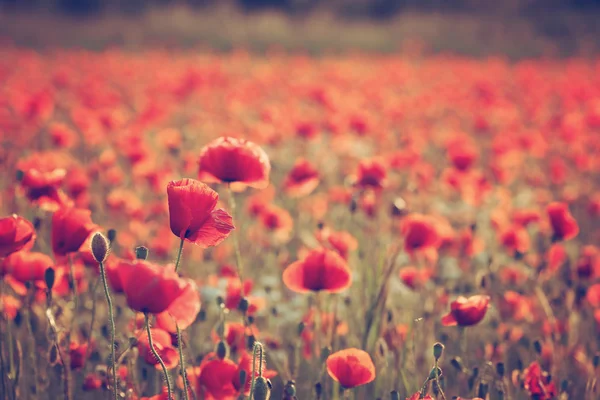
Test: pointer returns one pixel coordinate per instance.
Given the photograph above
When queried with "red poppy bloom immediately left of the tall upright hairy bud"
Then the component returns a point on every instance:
(70, 228)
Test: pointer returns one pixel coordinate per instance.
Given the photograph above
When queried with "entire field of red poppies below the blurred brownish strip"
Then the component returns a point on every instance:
(190, 225)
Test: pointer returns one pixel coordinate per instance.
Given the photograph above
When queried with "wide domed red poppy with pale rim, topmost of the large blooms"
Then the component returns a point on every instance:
(232, 160)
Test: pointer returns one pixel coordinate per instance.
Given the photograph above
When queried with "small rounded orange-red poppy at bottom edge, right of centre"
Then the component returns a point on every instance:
(351, 367)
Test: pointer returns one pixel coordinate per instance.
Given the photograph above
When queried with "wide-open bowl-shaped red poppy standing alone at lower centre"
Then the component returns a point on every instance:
(321, 270)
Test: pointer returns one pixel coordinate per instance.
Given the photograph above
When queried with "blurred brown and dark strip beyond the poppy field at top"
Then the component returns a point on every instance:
(513, 28)
